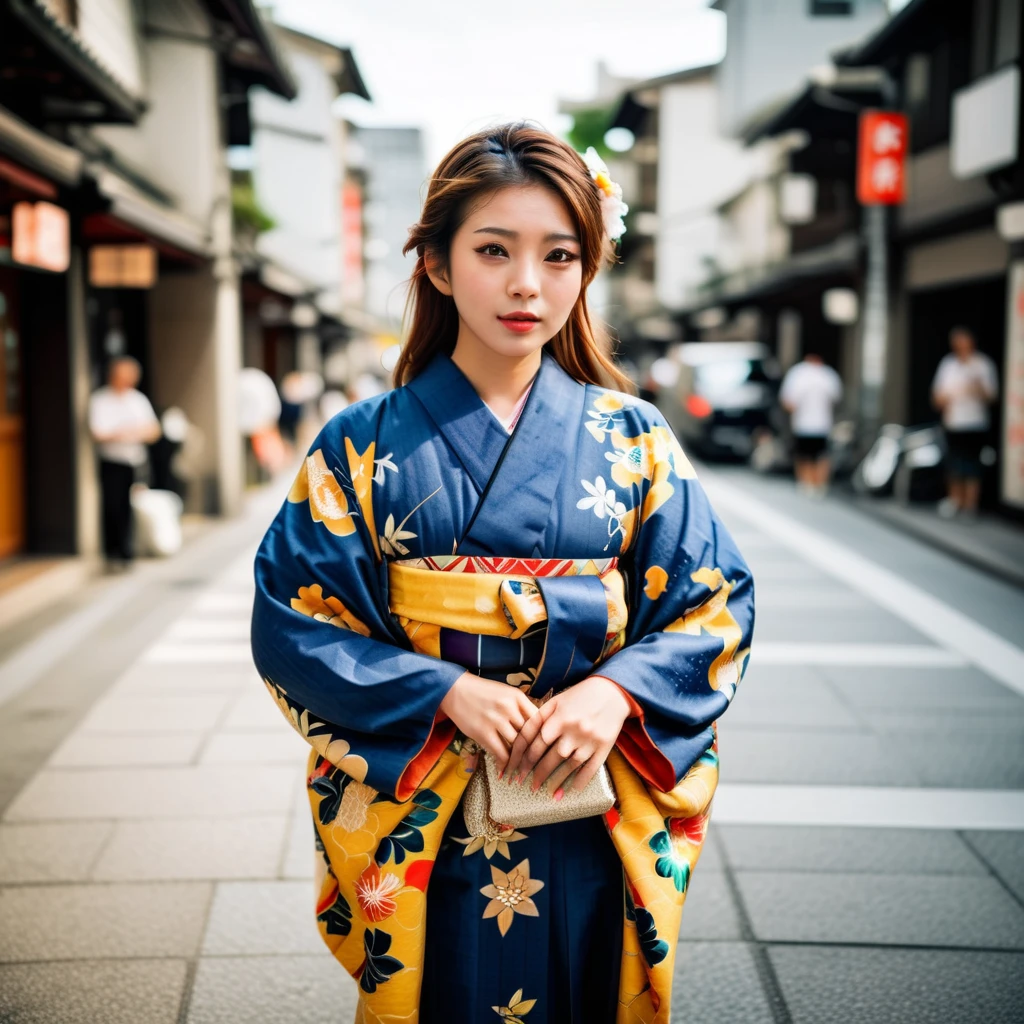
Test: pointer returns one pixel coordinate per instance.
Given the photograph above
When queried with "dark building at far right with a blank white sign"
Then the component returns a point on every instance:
(955, 249)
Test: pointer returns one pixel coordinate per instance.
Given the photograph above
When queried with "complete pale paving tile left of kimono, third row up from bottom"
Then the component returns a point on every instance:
(194, 848)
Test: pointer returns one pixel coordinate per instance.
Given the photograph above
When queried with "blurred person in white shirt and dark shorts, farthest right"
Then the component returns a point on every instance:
(966, 386)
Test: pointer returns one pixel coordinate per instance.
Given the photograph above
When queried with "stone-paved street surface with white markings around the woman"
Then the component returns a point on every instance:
(866, 863)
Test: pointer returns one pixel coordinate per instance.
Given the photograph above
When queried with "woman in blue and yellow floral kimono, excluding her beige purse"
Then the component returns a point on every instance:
(503, 556)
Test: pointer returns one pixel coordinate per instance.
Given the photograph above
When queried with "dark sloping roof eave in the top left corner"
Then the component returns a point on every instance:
(51, 72)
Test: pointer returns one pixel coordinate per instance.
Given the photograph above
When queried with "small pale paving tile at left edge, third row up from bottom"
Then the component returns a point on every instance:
(51, 852)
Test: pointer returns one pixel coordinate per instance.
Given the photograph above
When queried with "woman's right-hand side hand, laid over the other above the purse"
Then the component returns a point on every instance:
(576, 730)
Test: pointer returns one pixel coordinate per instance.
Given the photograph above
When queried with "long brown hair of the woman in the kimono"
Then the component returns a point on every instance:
(511, 155)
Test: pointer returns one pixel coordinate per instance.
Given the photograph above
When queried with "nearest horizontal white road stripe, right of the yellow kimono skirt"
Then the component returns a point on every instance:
(869, 807)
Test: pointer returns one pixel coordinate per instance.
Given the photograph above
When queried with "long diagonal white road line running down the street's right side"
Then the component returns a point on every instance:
(955, 631)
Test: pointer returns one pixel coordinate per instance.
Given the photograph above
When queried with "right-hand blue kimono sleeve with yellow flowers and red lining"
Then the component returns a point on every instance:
(692, 618)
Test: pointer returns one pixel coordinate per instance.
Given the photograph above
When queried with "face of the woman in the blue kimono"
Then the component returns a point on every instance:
(515, 272)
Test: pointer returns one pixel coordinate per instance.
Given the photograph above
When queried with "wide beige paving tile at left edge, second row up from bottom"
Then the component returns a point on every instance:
(48, 923)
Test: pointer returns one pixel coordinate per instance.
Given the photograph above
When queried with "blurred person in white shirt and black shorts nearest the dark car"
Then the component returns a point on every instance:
(810, 394)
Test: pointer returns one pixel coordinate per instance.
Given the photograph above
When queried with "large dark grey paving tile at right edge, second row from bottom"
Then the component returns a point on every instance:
(889, 910)
